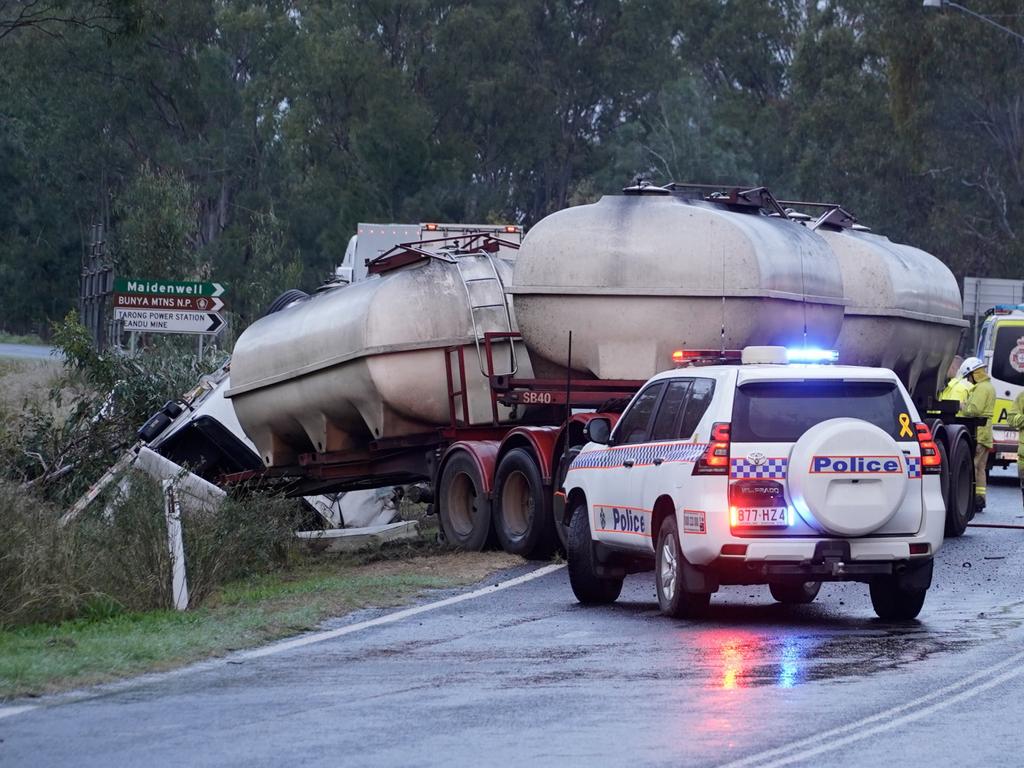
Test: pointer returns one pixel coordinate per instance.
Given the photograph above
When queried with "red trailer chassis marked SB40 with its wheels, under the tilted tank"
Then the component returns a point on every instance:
(492, 485)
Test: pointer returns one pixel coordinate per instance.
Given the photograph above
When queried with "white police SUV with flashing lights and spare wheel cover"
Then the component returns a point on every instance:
(765, 473)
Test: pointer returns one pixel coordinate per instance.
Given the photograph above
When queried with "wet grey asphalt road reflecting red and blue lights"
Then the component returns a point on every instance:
(527, 676)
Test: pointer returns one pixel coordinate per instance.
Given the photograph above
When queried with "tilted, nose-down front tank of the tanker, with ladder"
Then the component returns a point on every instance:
(365, 362)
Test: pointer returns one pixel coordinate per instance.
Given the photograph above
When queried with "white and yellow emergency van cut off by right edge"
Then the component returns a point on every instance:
(1001, 345)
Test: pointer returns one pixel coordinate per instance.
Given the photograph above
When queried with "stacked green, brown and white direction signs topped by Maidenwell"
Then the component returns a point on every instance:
(168, 307)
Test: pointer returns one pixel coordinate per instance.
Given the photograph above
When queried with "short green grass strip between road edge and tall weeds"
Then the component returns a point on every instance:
(42, 659)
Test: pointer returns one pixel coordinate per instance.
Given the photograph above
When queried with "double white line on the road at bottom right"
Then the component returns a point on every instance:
(886, 720)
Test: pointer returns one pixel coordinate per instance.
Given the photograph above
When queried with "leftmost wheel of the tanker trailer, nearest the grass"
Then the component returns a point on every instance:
(463, 507)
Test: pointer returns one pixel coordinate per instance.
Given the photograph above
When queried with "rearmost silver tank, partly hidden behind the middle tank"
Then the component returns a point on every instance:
(904, 309)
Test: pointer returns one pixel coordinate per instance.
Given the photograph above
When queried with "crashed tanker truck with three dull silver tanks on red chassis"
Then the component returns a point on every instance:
(474, 366)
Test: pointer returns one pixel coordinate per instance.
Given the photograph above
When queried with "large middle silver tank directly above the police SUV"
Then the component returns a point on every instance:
(636, 278)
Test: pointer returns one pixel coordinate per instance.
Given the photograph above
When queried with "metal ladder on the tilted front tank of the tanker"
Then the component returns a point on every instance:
(489, 309)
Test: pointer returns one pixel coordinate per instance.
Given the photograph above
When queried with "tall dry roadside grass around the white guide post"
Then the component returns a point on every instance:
(50, 573)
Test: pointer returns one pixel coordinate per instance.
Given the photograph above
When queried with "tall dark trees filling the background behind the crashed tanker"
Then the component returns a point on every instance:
(221, 139)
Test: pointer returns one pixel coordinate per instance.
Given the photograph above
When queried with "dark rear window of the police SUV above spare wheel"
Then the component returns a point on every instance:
(782, 412)
